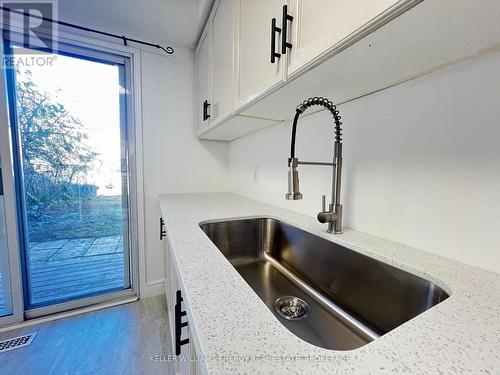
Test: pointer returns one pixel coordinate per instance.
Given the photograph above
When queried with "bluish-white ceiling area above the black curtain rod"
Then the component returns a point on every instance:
(157, 21)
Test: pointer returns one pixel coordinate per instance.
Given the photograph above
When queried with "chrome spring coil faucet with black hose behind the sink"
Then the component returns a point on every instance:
(332, 216)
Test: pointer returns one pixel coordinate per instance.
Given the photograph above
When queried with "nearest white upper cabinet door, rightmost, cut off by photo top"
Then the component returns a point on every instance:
(321, 24)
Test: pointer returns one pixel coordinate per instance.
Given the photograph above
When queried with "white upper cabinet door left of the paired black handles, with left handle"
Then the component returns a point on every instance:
(256, 73)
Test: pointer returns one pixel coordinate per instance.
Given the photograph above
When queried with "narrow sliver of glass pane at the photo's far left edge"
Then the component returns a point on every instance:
(5, 285)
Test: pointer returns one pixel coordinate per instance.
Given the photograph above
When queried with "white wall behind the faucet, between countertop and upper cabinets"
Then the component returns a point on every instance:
(422, 162)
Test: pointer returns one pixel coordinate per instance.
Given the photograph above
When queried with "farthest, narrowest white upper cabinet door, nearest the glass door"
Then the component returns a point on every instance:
(203, 78)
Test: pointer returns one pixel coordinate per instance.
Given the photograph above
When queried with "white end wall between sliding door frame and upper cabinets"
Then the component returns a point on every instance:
(174, 159)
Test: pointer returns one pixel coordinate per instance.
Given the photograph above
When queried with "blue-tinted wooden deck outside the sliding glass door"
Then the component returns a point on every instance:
(68, 269)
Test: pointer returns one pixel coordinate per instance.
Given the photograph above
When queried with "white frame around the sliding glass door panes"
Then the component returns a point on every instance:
(136, 183)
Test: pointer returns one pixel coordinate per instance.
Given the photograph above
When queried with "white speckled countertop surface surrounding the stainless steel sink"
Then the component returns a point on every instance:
(238, 334)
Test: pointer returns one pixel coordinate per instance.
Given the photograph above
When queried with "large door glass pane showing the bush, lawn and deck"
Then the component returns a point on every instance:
(72, 142)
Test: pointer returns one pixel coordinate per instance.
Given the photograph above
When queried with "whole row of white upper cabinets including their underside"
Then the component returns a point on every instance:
(340, 49)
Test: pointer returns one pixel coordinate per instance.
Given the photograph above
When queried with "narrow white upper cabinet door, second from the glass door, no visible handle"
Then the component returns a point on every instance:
(222, 61)
